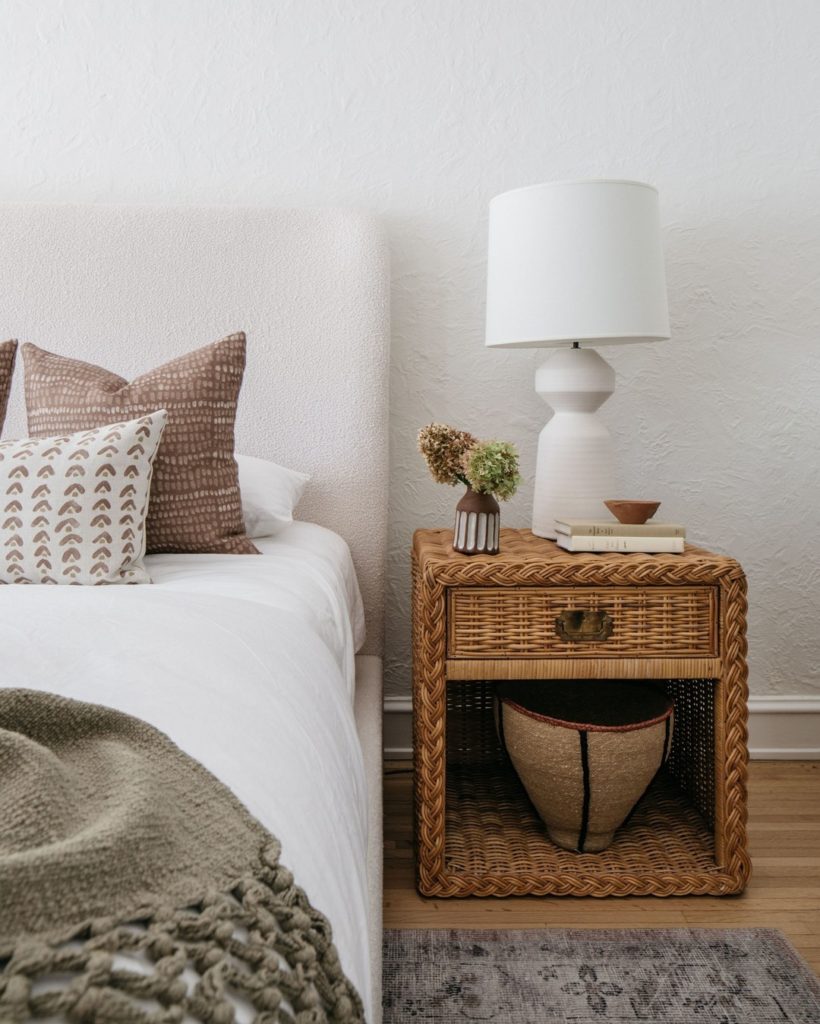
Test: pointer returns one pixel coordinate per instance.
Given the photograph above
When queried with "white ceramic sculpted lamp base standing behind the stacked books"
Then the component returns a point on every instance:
(576, 470)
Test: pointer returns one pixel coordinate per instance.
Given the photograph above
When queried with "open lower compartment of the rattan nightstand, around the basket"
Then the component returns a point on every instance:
(493, 831)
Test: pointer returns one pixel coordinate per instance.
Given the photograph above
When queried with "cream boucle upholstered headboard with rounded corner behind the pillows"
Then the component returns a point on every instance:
(133, 287)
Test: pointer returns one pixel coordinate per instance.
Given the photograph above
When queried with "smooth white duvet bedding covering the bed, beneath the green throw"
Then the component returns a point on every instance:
(247, 664)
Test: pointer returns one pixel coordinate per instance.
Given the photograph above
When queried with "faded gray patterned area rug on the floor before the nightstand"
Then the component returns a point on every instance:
(682, 976)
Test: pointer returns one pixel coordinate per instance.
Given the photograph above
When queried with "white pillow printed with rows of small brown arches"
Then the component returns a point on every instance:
(74, 507)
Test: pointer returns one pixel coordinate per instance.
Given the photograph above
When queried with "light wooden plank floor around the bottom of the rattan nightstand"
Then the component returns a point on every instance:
(785, 892)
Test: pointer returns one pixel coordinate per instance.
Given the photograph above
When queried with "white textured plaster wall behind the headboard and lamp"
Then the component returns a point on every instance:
(423, 111)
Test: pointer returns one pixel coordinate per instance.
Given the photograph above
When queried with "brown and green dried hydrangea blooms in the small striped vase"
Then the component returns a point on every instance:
(457, 457)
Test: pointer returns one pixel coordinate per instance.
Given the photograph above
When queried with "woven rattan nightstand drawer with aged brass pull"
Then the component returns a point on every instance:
(582, 622)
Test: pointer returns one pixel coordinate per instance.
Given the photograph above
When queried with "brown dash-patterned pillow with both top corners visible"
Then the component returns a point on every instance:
(195, 499)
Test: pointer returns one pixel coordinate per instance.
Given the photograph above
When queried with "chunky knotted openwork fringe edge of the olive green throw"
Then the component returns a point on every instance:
(262, 942)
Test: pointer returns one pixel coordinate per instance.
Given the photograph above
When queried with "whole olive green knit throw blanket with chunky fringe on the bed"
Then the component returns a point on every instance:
(137, 889)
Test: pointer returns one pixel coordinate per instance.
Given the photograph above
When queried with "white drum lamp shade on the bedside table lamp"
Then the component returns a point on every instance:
(576, 262)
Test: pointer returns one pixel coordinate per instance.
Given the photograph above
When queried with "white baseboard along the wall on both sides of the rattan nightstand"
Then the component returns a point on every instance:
(782, 729)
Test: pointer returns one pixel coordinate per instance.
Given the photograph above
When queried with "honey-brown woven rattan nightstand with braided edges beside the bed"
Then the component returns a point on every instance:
(521, 615)
